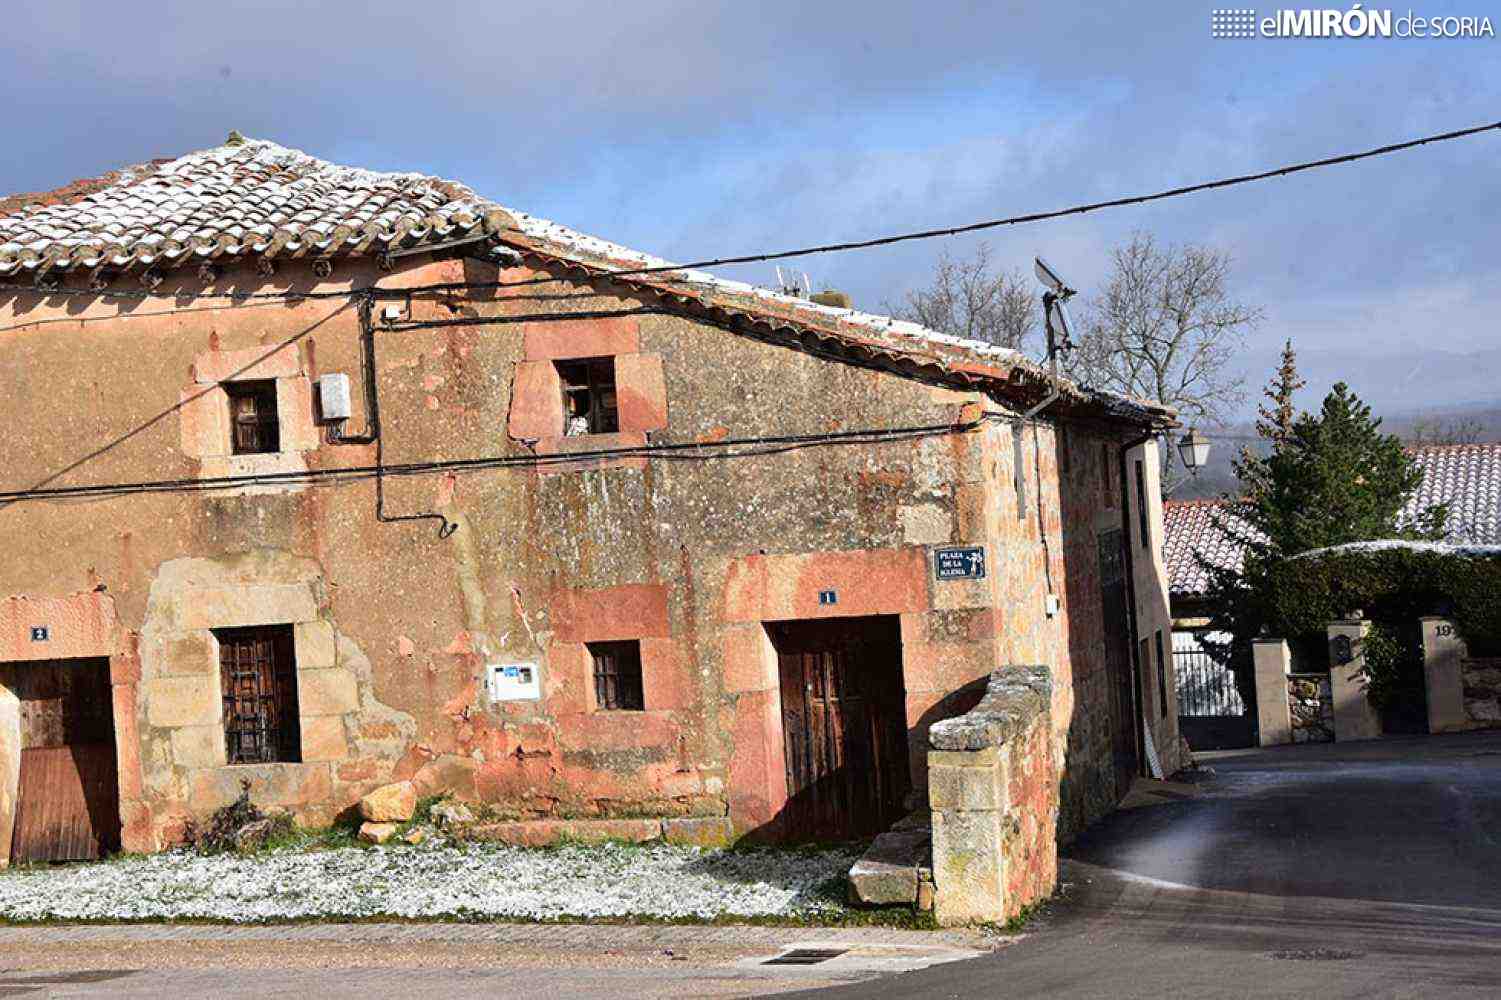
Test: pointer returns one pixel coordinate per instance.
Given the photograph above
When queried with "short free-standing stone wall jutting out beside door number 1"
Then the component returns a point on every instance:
(993, 788)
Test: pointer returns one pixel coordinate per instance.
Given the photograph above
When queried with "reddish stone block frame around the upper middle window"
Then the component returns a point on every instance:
(537, 415)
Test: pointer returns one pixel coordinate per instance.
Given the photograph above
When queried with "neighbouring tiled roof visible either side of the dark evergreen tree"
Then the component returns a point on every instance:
(1466, 478)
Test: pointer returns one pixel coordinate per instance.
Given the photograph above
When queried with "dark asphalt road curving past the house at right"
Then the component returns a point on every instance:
(1368, 870)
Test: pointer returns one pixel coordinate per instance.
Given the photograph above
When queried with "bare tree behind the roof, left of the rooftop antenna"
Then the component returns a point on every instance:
(967, 300)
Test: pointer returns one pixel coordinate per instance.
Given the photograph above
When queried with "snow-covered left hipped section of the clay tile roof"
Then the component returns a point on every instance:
(244, 199)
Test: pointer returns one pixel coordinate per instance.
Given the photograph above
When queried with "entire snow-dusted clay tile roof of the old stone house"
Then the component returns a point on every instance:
(251, 199)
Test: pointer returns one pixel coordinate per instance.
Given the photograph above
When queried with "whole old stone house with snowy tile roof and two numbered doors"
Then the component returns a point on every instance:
(322, 478)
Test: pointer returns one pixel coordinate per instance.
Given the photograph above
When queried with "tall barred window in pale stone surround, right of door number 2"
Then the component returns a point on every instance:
(259, 679)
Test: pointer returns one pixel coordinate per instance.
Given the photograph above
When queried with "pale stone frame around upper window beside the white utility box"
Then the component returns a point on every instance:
(206, 418)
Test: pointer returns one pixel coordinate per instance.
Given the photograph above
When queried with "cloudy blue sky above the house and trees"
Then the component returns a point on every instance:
(699, 130)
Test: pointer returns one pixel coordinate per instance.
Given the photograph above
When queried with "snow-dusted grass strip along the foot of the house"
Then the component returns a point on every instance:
(435, 881)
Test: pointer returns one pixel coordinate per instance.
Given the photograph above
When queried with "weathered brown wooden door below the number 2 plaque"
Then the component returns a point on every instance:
(68, 803)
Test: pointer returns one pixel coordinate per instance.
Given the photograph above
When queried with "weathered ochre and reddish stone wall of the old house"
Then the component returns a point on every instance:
(396, 625)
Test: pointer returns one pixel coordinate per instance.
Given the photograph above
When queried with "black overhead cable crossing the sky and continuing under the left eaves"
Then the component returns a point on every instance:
(823, 248)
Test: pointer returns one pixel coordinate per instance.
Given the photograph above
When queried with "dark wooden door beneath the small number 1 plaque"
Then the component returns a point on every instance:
(844, 724)
